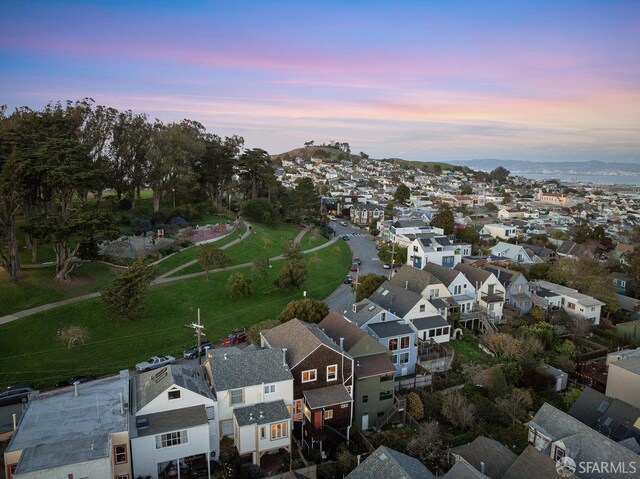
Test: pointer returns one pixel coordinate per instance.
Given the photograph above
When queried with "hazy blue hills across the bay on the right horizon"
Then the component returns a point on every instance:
(582, 167)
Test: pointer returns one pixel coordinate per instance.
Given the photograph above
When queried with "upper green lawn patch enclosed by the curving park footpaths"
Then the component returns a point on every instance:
(264, 242)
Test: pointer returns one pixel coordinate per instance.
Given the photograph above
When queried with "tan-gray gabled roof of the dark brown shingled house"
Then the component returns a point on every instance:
(300, 339)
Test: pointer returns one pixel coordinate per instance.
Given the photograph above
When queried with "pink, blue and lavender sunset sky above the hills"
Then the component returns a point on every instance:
(421, 80)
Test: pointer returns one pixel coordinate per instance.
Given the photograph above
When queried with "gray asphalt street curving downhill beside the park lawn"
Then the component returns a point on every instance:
(362, 246)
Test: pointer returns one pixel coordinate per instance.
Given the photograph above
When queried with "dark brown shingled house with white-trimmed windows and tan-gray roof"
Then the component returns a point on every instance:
(322, 381)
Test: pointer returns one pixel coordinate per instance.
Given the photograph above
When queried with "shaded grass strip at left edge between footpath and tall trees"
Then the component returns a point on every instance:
(36, 286)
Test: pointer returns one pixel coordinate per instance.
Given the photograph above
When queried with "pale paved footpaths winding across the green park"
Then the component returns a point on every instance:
(159, 280)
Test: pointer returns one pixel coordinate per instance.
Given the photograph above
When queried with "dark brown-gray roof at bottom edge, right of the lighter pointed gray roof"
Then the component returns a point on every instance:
(496, 456)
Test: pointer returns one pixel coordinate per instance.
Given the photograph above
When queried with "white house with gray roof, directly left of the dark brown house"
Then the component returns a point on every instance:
(254, 391)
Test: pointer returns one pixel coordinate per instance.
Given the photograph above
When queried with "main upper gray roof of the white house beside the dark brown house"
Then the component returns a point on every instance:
(248, 369)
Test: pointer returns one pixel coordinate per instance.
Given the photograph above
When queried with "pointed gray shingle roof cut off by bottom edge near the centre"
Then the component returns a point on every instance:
(386, 463)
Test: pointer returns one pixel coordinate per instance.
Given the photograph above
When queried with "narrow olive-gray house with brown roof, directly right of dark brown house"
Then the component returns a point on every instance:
(373, 370)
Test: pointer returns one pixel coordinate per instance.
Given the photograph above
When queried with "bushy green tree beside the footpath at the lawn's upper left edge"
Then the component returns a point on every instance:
(124, 296)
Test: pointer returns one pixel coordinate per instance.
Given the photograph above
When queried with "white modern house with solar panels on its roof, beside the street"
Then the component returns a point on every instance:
(436, 249)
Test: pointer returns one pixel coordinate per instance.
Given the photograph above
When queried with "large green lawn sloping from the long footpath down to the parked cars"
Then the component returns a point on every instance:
(30, 351)
